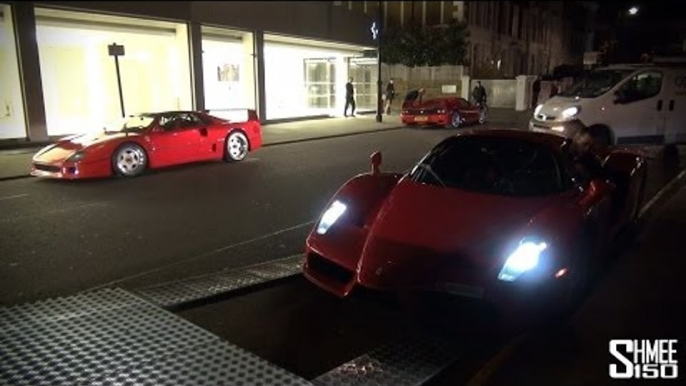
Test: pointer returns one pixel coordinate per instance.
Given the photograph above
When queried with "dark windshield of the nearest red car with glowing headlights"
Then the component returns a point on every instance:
(502, 166)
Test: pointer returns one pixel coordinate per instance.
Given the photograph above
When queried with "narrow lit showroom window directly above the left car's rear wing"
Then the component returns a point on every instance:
(228, 70)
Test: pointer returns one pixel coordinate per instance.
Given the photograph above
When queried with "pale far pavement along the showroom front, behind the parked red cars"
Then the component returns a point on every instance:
(16, 163)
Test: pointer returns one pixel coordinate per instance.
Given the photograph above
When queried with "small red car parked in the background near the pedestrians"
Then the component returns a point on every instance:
(449, 112)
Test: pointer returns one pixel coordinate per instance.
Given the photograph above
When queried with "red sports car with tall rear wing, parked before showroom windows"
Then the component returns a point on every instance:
(143, 141)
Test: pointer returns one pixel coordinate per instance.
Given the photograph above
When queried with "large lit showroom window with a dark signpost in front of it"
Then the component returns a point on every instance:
(79, 77)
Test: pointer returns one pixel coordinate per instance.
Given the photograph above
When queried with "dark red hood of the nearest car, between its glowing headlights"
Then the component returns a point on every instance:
(425, 231)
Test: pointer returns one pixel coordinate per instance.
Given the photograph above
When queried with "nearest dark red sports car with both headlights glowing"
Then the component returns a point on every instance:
(503, 216)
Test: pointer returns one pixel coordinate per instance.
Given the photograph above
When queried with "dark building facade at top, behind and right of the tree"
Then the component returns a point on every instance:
(507, 38)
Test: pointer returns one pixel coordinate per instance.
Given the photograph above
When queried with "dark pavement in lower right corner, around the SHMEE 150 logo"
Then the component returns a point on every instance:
(640, 298)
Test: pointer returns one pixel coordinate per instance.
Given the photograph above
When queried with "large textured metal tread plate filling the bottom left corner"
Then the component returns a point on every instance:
(119, 339)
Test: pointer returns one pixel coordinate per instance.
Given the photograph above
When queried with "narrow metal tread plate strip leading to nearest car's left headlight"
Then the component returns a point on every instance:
(198, 288)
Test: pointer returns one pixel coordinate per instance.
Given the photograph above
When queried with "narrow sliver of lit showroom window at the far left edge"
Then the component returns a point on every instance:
(12, 119)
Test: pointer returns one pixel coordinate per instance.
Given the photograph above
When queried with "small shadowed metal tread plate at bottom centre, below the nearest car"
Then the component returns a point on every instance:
(411, 361)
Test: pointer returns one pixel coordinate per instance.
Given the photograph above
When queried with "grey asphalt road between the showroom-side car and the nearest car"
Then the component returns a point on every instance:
(61, 237)
